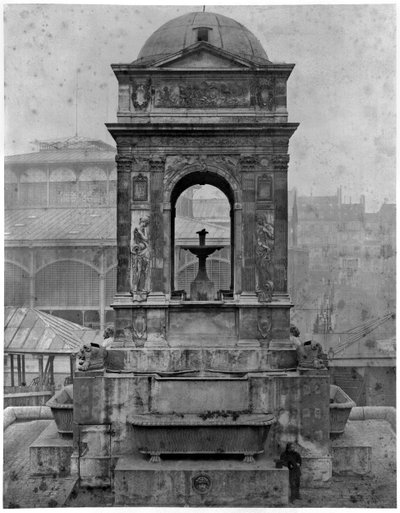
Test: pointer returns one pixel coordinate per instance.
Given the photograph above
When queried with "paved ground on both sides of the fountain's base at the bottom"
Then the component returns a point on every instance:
(377, 490)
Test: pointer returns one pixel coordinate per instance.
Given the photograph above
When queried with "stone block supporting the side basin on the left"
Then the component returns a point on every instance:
(50, 453)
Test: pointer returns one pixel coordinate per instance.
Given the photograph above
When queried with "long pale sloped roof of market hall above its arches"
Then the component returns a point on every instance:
(55, 224)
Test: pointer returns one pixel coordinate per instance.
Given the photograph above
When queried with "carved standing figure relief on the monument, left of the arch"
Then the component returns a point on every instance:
(140, 258)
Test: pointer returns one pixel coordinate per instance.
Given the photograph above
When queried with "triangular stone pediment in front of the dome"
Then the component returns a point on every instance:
(203, 56)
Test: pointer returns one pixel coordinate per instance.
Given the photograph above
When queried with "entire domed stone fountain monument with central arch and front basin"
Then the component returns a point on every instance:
(195, 398)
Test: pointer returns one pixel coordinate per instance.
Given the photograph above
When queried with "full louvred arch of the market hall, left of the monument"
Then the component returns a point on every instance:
(67, 283)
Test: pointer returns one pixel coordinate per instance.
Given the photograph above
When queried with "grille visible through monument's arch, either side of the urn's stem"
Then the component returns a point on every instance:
(219, 271)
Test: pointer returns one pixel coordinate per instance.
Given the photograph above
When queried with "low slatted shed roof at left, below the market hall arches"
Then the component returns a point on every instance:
(28, 330)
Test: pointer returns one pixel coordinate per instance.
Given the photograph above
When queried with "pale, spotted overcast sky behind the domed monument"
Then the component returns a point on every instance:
(342, 90)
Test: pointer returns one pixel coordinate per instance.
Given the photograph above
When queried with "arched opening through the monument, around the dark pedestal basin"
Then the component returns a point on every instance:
(202, 201)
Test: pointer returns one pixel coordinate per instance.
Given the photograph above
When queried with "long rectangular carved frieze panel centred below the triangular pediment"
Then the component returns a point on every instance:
(202, 94)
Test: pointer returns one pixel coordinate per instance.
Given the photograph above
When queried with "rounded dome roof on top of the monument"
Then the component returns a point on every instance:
(224, 33)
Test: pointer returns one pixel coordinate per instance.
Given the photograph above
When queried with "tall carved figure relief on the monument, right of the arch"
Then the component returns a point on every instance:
(264, 253)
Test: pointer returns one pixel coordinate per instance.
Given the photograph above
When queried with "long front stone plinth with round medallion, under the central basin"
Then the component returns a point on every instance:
(222, 483)
